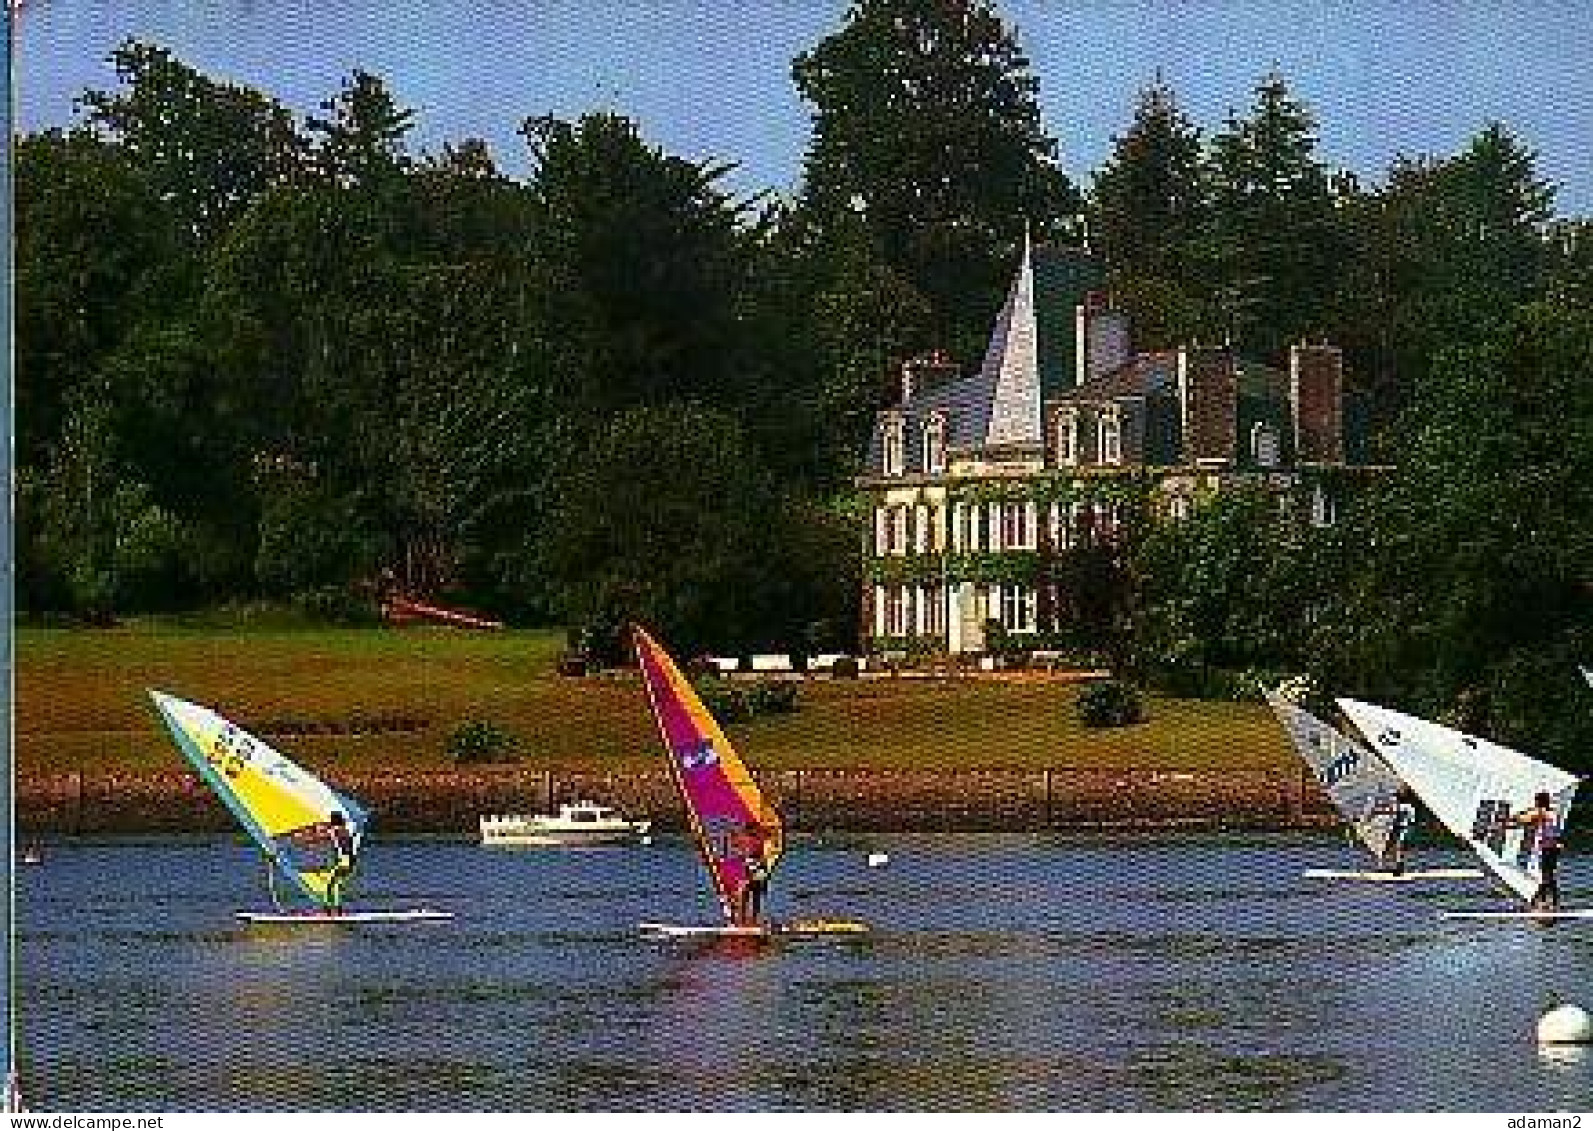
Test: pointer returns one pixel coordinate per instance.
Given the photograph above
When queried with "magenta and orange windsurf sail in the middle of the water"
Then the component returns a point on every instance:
(735, 828)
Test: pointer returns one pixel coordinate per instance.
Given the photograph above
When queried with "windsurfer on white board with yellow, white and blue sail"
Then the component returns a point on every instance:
(284, 808)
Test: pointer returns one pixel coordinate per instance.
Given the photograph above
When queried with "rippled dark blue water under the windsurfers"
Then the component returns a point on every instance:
(1006, 973)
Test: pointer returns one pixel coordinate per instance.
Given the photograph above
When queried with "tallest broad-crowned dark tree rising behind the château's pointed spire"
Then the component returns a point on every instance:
(926, 125)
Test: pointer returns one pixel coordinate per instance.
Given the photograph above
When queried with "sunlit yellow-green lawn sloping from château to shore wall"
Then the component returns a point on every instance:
(80, 705)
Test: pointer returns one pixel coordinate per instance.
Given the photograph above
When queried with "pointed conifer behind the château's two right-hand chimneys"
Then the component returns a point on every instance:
(1274, 237)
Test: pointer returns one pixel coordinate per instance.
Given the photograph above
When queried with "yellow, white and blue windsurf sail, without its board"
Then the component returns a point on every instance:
(283, 807)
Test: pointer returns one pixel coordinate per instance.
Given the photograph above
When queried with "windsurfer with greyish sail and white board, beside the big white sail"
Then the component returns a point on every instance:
(1360, 785)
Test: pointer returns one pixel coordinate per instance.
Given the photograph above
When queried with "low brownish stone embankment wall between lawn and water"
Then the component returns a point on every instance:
(812, 800)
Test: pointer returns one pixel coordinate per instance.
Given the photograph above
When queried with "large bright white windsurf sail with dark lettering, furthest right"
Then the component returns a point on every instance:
(1473, 786)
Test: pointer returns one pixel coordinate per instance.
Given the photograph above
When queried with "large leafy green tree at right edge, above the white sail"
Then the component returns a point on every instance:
(1476, 593)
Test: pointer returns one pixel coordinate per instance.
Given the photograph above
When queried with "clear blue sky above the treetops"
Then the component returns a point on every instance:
(711, 79)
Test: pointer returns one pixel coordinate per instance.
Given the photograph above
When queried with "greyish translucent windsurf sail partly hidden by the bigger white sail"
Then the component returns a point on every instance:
(1358, 783)
